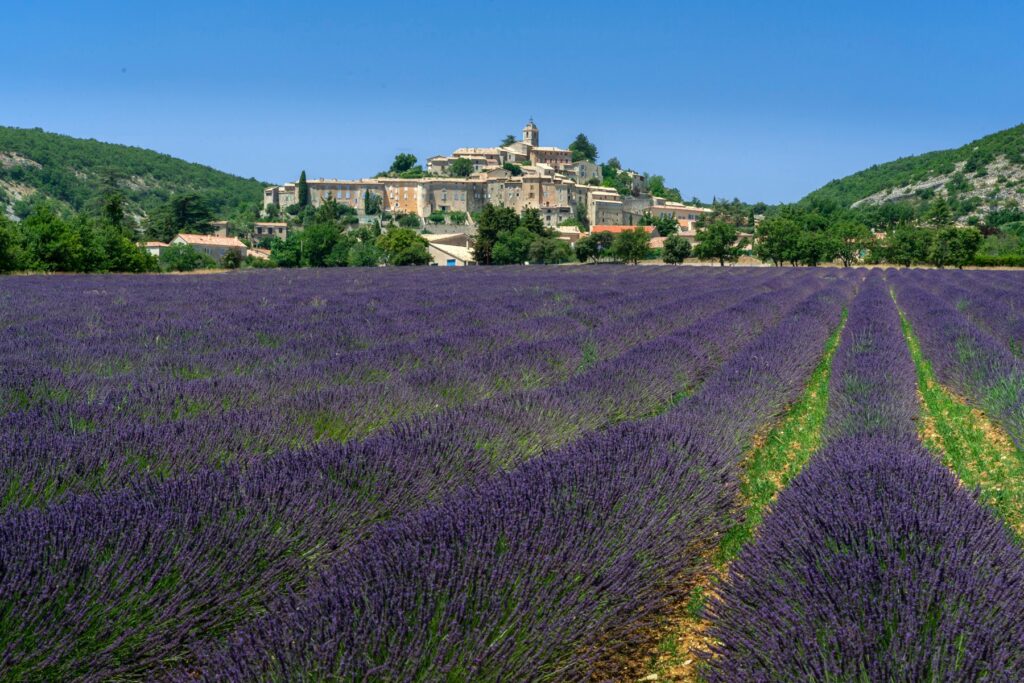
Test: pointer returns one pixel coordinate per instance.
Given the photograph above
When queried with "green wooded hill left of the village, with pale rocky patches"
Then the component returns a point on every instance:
(78, 174)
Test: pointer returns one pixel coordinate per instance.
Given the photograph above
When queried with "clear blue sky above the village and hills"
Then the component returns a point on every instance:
(762, 101)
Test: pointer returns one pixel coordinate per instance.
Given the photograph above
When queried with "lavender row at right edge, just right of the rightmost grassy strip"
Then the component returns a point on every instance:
(971, 361)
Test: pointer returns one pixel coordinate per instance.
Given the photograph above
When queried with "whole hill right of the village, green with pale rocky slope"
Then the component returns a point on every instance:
(987, 173)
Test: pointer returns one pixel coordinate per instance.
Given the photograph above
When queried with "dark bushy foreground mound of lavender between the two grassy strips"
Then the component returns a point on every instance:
(875, 565)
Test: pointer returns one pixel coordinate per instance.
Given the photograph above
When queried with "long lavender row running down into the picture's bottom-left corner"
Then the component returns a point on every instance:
(277, 542)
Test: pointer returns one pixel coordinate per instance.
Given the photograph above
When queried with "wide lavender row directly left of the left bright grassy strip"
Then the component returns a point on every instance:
(519, 578)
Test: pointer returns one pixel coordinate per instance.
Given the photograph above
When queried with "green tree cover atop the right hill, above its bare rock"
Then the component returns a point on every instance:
(915, 169)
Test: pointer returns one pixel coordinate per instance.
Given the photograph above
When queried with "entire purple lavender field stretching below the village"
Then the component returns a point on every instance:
(508, 475)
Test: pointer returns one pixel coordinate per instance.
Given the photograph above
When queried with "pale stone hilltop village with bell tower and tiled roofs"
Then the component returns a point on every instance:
(566, 189)
